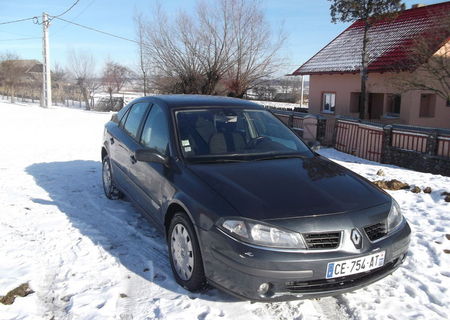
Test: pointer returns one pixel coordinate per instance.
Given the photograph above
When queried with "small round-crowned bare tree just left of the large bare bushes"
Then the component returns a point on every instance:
(115, 76)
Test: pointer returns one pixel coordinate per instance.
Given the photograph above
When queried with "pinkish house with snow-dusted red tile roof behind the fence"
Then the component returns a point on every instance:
(335, 70)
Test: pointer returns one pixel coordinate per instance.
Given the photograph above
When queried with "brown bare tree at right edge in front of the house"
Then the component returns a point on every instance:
(428, 65)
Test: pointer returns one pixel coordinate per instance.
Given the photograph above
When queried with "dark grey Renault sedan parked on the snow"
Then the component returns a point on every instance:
(245, 205)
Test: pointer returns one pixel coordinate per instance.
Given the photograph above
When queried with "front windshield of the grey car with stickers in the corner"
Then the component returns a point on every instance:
(233, 134)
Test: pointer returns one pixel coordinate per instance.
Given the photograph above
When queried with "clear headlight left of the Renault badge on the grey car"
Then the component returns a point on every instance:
(262, 234)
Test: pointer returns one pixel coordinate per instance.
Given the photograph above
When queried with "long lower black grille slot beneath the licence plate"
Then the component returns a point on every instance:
(338, 283)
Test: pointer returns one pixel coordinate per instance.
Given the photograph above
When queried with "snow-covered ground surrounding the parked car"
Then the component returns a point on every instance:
(87, 257)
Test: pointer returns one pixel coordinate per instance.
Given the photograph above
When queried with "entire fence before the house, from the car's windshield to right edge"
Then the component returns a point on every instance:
(419, 148)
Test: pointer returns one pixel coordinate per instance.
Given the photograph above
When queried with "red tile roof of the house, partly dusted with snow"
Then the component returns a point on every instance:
(390, 42)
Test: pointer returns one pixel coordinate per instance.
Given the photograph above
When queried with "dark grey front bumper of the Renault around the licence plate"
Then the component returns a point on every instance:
(240, 269)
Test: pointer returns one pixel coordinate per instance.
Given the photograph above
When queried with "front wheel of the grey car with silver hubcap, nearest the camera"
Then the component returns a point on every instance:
(184, 254)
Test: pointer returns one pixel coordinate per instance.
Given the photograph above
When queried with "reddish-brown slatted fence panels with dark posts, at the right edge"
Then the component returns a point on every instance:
(417, 148)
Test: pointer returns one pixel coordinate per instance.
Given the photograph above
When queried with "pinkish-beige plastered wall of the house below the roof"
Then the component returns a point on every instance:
(343, 84)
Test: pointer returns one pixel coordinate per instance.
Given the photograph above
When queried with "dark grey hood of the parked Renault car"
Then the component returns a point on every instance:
(288, 188)
